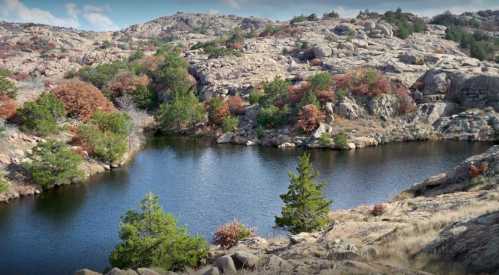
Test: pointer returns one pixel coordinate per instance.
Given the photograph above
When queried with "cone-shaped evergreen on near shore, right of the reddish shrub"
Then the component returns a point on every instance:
(305, 208)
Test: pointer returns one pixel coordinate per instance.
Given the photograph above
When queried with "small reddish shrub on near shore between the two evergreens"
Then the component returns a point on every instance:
(228, 235)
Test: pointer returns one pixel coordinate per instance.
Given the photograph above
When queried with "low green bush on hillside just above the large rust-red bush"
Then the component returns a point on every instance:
(101, 74)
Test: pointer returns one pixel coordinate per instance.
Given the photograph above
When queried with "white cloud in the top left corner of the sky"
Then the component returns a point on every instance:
(15, 10)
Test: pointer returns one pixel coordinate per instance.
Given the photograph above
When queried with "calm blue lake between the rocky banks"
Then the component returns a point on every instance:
(203, 185)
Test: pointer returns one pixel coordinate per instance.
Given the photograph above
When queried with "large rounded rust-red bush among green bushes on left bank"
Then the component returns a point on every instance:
(81, 99)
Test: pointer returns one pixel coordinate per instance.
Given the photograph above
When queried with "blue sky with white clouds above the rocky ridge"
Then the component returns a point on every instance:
(117, 14)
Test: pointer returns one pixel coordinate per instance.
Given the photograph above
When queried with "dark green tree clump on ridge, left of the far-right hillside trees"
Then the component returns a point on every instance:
(406, 23)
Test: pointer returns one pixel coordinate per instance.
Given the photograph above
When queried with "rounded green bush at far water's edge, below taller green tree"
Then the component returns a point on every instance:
(182, 112)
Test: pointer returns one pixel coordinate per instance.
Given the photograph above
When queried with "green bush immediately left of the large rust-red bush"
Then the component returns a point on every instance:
(42, 116)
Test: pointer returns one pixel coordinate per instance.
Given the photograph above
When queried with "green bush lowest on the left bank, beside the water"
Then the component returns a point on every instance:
(53, 163)
